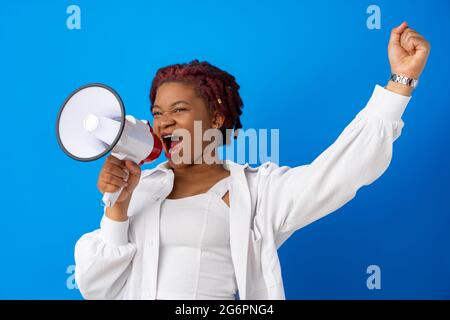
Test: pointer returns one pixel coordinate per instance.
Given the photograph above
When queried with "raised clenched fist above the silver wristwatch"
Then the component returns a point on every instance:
(408, 51)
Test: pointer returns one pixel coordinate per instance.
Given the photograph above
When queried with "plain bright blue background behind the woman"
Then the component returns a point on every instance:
(305, 67)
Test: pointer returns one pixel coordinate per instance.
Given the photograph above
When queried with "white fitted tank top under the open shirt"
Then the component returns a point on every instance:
(195, 257)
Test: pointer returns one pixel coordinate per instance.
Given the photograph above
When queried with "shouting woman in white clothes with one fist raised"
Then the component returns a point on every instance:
(195, 230)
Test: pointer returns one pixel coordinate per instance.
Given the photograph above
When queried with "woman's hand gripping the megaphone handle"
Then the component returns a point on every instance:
(114, 175)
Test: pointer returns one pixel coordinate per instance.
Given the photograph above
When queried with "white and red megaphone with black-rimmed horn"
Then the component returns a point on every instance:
(92, 123)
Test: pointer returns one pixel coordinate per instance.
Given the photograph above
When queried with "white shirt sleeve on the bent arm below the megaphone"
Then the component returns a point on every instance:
(103, 260)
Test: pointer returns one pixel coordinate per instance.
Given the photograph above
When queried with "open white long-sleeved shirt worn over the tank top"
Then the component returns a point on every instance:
(267, 205)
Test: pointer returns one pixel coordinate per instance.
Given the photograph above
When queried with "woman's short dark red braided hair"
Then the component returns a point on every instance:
(217, 87)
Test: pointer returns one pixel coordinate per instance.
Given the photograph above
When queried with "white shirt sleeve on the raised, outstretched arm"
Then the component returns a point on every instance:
(296, 197)
